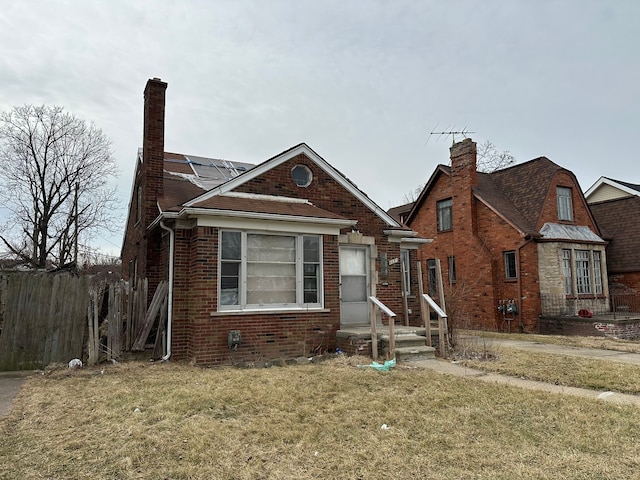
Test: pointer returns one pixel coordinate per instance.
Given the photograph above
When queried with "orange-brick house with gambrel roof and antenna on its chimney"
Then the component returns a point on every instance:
(519, 237)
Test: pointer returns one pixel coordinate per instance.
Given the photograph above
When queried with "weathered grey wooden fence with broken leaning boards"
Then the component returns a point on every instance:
(53, 318)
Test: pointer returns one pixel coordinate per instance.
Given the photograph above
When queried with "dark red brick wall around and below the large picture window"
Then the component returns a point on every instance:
(202, 337)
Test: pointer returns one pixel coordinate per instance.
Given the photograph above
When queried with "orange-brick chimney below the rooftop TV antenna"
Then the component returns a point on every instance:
(464, 176)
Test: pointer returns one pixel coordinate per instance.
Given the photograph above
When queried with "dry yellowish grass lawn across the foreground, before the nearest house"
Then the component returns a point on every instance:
(302, 422)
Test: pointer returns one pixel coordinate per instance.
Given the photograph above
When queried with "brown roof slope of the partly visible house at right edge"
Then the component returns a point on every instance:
(620, 218)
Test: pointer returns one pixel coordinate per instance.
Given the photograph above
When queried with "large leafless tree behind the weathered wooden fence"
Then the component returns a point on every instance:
(54, 179)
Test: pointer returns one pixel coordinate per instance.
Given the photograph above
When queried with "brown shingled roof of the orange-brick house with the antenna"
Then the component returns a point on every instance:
(516, 194)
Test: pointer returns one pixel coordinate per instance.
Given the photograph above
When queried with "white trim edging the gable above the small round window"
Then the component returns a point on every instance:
(288, 155)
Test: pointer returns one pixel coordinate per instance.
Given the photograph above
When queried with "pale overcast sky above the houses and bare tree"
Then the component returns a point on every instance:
(362, 82)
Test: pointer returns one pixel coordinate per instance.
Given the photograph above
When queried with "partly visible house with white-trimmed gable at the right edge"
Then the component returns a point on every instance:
(616, 207)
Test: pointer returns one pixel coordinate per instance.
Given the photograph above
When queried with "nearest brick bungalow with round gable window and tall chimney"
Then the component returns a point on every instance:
(285, 252)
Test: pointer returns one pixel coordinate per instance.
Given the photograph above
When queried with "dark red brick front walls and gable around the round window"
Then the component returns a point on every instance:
(200, 332)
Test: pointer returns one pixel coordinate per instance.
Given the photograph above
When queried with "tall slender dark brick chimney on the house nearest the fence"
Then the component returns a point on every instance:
(153, 147)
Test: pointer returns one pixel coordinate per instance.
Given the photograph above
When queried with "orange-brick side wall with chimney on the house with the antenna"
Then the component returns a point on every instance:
(478, 241)
